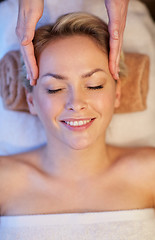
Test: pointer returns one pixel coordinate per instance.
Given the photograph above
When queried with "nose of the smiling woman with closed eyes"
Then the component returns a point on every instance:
(76, 100)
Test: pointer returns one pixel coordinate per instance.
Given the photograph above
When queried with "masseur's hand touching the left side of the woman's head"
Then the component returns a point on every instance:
(30, 11)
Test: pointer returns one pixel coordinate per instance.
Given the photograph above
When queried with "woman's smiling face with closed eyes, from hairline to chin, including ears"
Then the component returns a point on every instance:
(75, 95)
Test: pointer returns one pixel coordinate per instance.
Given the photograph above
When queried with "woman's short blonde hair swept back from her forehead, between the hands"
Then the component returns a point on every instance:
(72, 24)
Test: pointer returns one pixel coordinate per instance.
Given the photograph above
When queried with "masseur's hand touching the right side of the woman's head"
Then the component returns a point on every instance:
(117, 12)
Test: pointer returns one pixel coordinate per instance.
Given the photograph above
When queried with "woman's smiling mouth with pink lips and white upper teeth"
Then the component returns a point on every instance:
(77, 124)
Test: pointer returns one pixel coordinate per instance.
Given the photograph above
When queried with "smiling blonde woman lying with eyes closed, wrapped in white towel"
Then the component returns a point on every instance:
(76, 186)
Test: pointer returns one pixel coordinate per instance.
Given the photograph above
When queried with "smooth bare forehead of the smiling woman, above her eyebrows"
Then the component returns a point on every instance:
(78, 51)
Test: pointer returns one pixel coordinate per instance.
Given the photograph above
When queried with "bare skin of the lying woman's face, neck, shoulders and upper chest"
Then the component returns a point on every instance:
(87, 174)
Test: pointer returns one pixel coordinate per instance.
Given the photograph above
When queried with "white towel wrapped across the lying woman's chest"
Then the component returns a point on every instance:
(115, 225)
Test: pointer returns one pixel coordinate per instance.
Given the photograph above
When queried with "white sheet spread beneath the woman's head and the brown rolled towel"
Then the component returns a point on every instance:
(20, 131)
